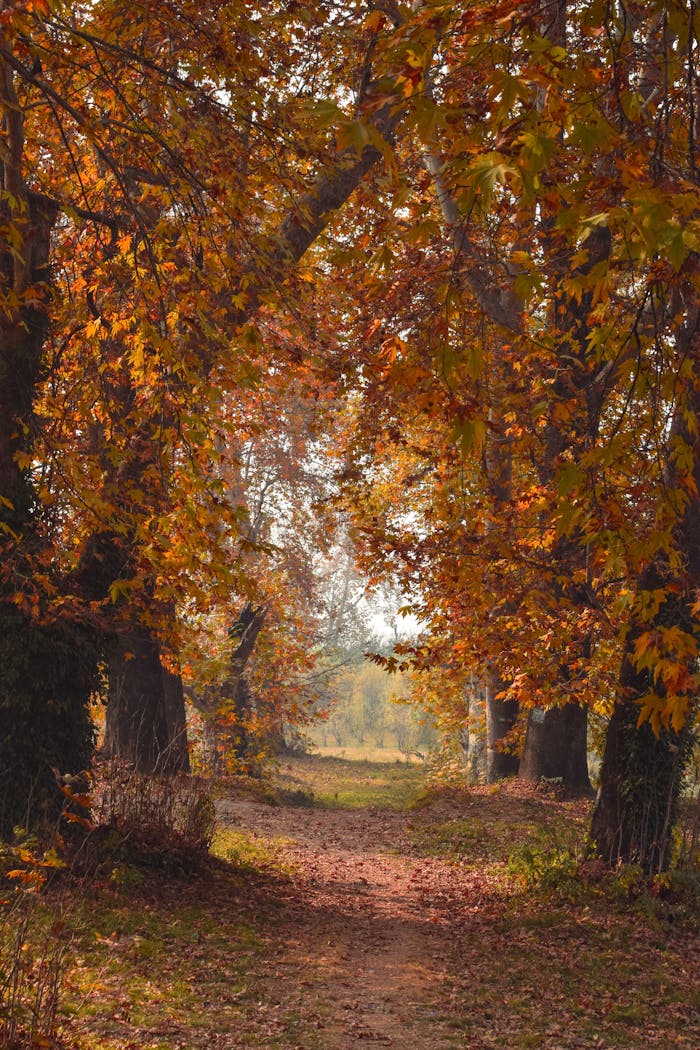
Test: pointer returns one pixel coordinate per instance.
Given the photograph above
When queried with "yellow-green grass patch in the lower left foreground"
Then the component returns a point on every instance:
(179, 961)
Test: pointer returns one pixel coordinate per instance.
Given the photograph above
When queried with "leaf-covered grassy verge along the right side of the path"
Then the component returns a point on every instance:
(557, 954)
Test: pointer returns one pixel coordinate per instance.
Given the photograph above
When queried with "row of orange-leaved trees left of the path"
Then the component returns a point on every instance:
(153, 205)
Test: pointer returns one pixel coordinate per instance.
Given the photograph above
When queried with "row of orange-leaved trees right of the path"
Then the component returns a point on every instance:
(526, 456)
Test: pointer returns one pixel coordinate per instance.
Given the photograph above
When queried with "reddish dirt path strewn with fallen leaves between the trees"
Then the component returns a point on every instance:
(370, 935)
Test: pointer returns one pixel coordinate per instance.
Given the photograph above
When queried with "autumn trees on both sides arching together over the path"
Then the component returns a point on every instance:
(455, 246)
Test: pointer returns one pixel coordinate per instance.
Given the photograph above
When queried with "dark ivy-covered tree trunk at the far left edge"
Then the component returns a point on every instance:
(48, 671)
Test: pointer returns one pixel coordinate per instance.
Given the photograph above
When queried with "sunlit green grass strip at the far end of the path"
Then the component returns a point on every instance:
(347, 785)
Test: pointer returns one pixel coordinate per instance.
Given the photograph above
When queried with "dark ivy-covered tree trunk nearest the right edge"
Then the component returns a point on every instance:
(642, 773)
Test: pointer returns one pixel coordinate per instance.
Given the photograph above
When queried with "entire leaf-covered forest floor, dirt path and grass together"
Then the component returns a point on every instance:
(365, 915)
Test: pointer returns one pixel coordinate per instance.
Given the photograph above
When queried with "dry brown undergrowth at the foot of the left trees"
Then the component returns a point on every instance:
(110, 830)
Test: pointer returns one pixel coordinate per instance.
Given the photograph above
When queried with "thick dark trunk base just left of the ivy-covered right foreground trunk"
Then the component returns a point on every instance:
(556, 748)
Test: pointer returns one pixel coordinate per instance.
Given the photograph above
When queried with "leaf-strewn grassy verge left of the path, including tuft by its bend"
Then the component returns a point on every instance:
(164, 963)
